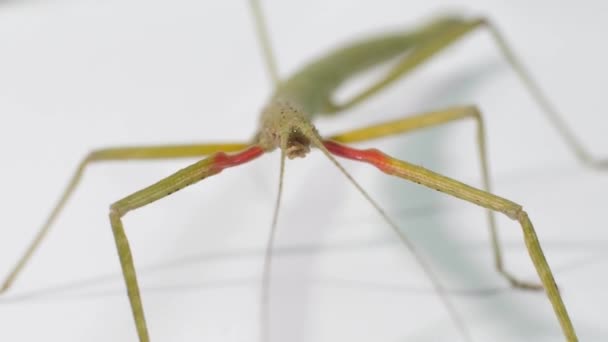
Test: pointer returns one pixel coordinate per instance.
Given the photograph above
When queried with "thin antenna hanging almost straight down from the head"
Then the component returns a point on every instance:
(265, 290)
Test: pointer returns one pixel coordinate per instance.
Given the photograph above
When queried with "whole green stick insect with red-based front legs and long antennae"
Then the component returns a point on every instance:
(286, 125)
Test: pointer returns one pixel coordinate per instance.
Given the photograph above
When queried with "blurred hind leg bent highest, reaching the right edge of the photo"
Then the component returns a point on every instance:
(452, 29)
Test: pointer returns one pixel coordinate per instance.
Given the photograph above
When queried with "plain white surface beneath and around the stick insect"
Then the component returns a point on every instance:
(77, 75)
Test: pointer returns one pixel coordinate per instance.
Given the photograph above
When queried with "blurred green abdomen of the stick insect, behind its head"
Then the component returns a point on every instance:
(312, 87)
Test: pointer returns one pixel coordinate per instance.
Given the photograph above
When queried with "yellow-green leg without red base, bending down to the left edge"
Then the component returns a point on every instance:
(119, 153)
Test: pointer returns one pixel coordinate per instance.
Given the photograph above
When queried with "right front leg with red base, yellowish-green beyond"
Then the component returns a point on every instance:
(482, 198)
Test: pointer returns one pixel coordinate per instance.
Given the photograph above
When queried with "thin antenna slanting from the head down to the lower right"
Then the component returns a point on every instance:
(410, 246)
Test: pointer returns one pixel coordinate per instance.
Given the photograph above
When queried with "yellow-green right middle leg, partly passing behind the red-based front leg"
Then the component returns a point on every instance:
(435, 118)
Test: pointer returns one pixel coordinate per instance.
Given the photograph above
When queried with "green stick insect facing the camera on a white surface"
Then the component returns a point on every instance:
(285, 125)
